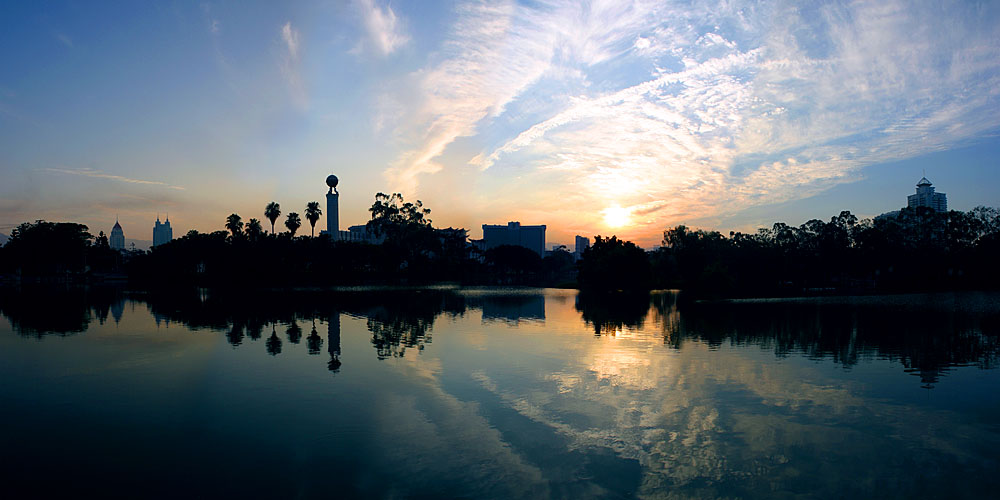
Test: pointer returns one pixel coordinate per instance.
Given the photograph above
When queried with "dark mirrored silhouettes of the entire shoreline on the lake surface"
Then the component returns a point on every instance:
(926, 334)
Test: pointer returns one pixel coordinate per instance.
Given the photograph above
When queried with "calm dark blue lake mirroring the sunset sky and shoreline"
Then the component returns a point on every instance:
(498, 394)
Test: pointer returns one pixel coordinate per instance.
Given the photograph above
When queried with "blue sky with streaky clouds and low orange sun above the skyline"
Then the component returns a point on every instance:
(599, 117)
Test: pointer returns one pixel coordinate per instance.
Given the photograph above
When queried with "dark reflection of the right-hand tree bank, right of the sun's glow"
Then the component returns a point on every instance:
(928, 335)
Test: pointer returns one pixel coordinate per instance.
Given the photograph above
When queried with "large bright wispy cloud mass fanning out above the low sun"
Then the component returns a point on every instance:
(679, 111)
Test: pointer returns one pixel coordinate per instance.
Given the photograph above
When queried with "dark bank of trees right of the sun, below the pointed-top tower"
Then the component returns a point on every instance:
(914, 250)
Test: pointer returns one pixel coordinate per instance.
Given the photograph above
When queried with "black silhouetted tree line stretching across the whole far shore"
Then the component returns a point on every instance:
(912, 250)
